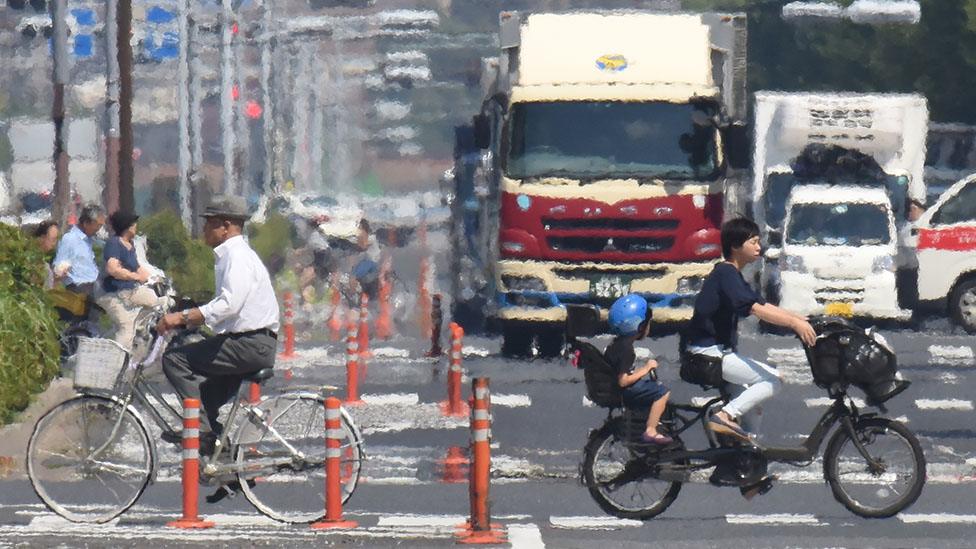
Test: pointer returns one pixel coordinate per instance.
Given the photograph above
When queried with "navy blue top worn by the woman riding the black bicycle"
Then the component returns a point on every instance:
(725, 296)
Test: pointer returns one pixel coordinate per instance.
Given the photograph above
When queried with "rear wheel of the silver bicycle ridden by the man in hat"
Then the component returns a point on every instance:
(287, 481)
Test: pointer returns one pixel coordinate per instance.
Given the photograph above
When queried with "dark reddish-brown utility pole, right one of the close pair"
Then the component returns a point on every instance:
(126, 169)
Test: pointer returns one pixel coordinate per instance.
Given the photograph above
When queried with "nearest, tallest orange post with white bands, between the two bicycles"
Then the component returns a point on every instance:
(479, 528)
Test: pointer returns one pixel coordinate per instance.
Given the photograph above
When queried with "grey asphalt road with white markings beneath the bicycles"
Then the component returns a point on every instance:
(540, 424)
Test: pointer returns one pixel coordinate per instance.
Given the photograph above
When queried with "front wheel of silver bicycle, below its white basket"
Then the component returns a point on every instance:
(89, 459)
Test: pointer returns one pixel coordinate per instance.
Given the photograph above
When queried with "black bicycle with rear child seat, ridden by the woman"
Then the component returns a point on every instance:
(874, 465)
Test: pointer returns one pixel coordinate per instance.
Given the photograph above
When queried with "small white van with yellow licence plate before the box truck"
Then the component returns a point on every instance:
(838, 254)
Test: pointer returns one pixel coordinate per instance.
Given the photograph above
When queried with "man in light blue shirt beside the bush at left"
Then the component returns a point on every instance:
(75, 251)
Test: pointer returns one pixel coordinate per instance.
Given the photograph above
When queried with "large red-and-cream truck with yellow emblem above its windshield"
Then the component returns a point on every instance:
(608, 149)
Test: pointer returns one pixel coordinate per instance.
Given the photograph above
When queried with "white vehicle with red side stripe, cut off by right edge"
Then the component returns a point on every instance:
(946, 251)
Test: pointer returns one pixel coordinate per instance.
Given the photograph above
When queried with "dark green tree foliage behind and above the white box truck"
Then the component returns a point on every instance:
(936, 57)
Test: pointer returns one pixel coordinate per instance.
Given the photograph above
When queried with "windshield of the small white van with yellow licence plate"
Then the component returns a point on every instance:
(839, 224)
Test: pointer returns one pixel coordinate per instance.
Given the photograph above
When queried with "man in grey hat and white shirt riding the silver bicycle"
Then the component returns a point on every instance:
(243, 316)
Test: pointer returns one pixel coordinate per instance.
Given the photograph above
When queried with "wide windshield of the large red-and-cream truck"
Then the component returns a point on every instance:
(612, 138)
